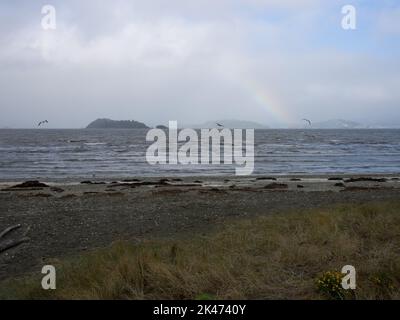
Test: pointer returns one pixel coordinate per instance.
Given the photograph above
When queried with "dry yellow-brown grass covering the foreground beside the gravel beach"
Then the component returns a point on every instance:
(291, 255)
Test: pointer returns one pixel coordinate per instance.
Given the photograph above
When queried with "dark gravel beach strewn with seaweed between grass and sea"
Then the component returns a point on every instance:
(68, 218)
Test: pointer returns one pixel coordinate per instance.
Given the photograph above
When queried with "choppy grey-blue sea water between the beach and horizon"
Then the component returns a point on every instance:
(80, 154)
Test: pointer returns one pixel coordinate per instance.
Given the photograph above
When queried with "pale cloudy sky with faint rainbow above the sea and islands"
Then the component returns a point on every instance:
(270, 61)
